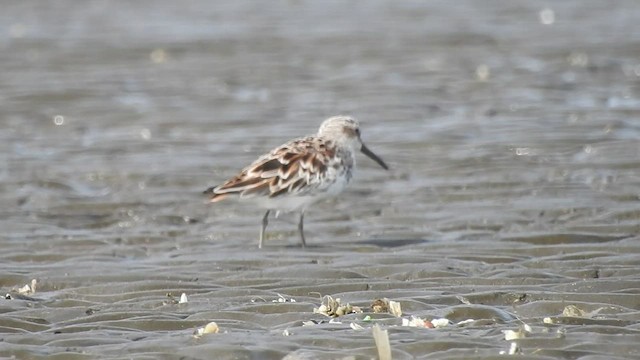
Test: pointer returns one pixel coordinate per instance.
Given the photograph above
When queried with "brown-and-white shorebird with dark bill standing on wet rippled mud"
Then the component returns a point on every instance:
(299, 173)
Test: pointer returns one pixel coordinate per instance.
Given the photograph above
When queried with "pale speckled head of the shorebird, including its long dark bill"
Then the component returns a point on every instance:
(345, 131)
